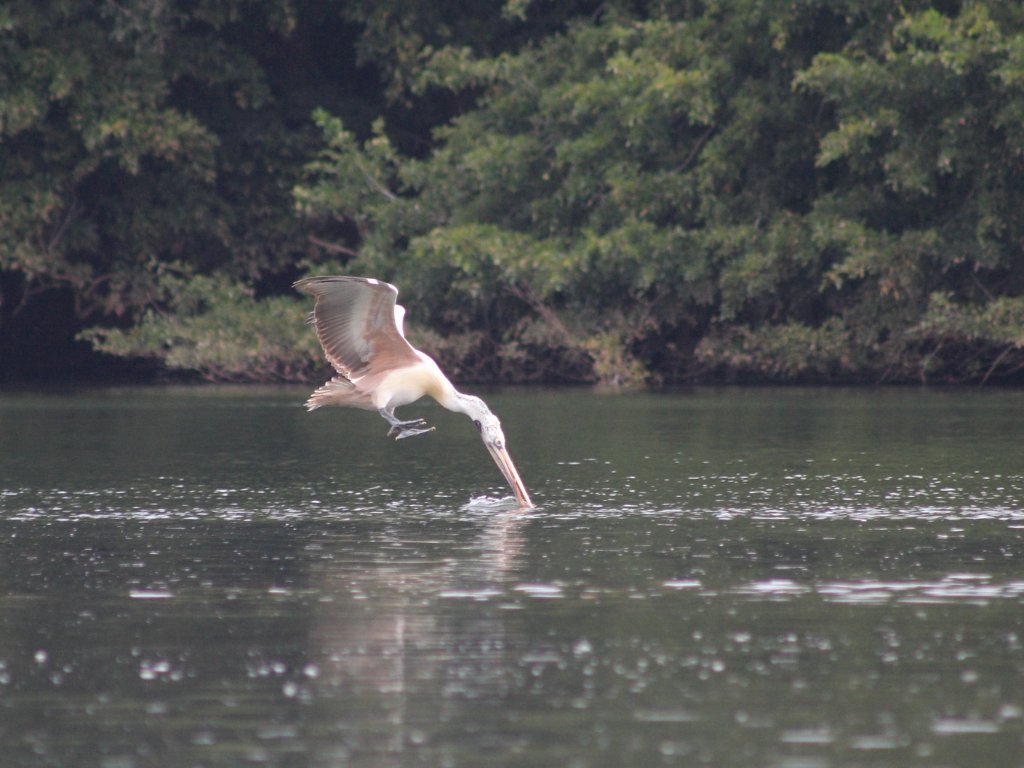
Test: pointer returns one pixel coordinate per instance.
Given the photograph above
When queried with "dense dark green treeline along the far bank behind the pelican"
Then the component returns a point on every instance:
(820, 191)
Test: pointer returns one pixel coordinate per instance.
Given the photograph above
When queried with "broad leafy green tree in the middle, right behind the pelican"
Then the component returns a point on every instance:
(615, 183)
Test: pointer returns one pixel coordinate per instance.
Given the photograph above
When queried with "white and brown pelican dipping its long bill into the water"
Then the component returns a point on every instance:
(360, 327)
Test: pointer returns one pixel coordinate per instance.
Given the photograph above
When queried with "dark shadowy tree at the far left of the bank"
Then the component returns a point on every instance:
(137, 137)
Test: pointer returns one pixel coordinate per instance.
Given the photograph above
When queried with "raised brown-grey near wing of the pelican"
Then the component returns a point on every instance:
(355, 322)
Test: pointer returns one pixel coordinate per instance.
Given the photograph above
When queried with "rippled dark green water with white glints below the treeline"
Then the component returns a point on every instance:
(723, 578)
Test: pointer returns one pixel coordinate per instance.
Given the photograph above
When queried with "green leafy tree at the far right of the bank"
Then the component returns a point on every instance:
(924, 223)
